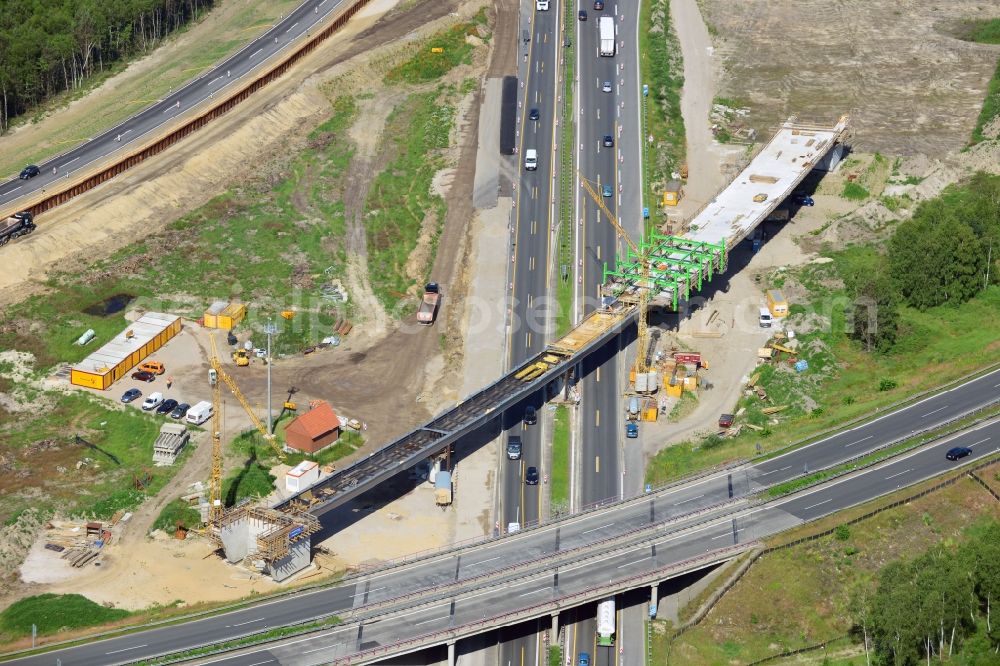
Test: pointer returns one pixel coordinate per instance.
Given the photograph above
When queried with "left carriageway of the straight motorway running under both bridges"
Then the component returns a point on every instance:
(532, 246)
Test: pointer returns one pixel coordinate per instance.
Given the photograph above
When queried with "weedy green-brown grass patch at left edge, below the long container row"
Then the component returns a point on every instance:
(45, 440)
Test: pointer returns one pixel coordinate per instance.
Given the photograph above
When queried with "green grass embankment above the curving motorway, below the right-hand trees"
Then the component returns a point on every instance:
(843, 382)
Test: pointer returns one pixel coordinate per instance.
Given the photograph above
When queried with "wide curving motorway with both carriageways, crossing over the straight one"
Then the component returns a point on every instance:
(569, 556)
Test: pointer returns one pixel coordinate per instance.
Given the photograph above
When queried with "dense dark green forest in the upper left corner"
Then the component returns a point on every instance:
(49, 47)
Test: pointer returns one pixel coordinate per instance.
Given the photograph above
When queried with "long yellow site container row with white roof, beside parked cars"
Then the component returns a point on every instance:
(125, 351)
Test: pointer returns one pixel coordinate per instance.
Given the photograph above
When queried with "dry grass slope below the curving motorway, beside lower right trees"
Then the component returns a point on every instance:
(802, 595)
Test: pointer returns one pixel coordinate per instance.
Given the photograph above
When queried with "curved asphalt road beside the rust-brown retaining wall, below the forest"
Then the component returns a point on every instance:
(219, 79)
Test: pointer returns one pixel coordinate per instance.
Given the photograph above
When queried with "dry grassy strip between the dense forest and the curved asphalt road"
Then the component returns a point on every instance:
(134, 92)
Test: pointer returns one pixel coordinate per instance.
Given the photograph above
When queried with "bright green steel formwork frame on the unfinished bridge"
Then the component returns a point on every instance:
(675, 264)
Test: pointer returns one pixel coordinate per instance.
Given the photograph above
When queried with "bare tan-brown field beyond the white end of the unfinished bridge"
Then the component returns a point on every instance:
(909, 86)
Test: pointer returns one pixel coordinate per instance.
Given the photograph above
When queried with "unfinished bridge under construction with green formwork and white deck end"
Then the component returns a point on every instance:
(676, 267)
